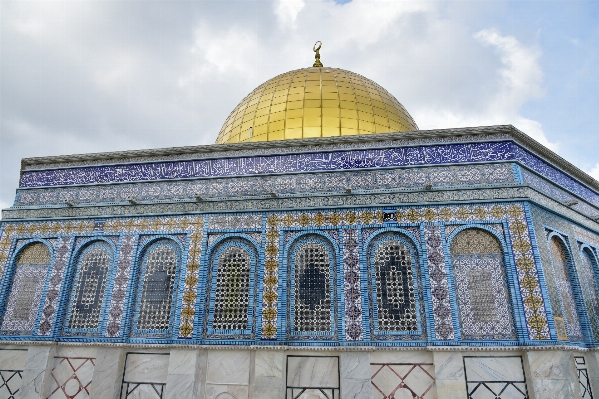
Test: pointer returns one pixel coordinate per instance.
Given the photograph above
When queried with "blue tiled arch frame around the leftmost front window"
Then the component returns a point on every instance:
(8, 281)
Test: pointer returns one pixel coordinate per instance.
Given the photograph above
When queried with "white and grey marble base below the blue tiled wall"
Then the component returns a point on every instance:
(266, 373)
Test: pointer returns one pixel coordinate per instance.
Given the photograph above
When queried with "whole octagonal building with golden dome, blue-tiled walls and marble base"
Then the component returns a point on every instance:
(457, 263)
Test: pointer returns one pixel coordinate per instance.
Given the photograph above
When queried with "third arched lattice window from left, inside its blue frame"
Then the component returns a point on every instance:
(157, 283)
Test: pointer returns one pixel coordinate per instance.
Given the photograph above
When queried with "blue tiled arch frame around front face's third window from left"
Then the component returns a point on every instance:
(138, 287)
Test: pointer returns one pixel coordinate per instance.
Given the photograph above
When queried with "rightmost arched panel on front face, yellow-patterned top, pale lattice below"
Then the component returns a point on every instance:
(481, 286)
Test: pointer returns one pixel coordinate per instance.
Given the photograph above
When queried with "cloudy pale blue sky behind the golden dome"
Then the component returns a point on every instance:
(78, 77)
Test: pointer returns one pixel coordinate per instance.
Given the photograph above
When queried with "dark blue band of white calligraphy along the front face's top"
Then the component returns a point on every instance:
(356, 159)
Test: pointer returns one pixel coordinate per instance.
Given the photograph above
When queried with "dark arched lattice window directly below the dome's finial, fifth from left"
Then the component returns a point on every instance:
(312, 290)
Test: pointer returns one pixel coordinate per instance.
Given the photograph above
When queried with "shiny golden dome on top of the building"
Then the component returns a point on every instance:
(315, 102)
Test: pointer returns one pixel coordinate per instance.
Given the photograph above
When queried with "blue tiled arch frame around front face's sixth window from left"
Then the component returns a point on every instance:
(371, 245)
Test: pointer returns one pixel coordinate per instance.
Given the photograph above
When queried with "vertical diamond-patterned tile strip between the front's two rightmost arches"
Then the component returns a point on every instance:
(442, 314)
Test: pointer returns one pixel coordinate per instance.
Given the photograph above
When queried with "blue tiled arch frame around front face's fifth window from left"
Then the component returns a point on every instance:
(294, 244)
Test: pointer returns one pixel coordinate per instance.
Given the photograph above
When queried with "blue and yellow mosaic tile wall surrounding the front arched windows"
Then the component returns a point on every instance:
(349, 231)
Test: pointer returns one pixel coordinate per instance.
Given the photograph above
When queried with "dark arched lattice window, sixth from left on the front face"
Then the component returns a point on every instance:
(394, 286)
